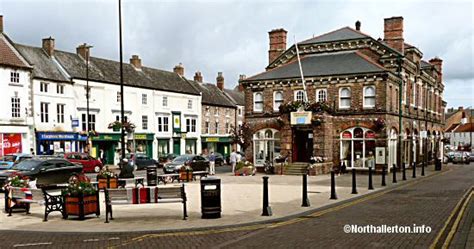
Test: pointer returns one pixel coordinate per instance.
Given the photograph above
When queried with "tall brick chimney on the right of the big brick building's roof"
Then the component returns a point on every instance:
(393, 33)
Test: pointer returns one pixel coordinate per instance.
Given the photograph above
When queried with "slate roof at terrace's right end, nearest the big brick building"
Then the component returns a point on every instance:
(212, 95)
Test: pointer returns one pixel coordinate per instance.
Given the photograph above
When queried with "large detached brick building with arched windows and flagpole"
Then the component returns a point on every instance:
(353, 86)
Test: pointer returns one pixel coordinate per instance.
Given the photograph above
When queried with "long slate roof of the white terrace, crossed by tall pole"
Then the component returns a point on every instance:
(104, 70)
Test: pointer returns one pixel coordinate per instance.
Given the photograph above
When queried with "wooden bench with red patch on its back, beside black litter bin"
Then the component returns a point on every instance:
(148, 195)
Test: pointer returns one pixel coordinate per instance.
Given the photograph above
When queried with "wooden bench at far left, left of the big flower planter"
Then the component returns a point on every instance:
(28, 196)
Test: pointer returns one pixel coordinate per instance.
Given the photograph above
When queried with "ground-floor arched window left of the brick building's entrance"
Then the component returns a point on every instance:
(266, 144)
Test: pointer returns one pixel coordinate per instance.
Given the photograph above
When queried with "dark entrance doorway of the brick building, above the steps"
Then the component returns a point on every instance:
(302, 145)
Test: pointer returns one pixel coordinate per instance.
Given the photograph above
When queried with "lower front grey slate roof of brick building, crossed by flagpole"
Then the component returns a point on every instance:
(341, 63)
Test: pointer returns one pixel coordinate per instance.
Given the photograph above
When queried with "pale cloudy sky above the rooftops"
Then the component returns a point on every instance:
(232, 36)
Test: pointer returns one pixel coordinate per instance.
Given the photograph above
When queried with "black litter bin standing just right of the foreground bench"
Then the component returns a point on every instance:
(211, 198)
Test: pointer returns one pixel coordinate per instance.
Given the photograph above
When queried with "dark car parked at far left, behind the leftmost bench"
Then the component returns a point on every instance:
(45, 171)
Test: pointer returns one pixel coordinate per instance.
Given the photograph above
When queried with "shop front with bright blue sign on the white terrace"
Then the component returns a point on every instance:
(48, 143)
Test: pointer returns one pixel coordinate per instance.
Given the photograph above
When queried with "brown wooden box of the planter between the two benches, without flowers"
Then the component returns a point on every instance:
(82, 205)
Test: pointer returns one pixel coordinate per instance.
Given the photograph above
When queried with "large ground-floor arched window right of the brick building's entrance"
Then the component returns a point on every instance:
(358, 147)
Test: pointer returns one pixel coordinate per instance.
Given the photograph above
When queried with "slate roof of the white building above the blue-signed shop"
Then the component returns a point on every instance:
(43, 66)
